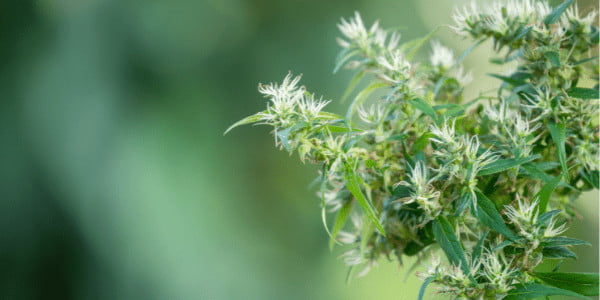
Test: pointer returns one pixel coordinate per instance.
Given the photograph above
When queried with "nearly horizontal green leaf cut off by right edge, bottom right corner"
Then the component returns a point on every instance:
(582, 283)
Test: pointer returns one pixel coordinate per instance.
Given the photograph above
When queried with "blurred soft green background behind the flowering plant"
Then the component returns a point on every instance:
(116, 181)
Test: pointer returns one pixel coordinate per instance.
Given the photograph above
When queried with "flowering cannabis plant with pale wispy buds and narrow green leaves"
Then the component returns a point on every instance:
(414, 167)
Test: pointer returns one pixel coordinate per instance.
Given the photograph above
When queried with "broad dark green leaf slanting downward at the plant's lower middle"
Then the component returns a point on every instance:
(445, 236)
